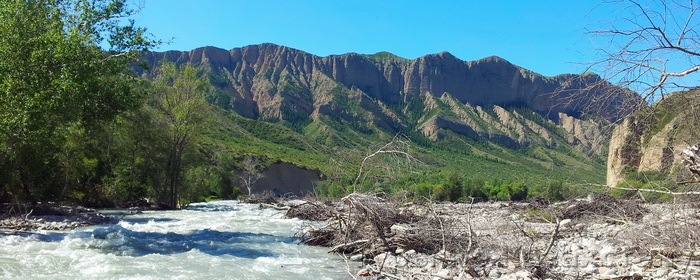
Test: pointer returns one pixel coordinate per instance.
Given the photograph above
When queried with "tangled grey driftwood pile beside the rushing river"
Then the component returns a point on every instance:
(364, 226)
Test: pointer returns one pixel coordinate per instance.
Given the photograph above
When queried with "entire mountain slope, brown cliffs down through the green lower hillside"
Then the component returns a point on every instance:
(489, 114)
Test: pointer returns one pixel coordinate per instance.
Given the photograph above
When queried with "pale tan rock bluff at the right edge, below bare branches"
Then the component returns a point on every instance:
(651, 140)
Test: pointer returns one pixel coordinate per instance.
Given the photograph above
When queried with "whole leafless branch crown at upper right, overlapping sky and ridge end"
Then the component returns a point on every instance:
(647, 50)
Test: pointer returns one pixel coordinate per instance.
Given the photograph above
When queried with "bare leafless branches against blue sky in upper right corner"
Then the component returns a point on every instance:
(653, 47)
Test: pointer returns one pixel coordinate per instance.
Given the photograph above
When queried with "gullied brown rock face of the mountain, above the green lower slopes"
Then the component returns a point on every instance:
(434, 94)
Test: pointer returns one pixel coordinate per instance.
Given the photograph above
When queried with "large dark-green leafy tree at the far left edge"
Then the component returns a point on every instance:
(56, 74)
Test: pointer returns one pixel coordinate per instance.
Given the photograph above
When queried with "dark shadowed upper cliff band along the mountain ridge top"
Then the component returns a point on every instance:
(488, 81)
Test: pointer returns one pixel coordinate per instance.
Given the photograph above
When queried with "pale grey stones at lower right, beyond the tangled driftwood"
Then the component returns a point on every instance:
(590, 249)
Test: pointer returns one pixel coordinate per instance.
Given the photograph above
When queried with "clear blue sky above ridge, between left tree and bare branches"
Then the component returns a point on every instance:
(545, 36)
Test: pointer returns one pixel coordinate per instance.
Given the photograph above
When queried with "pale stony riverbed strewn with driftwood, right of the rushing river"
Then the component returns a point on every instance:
(582, 239)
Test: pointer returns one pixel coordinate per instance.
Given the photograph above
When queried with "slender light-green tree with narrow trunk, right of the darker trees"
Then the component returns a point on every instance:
(180, 99)
